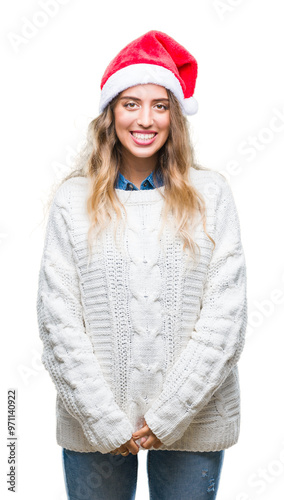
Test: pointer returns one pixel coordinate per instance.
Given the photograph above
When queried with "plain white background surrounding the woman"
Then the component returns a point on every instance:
(50, 91)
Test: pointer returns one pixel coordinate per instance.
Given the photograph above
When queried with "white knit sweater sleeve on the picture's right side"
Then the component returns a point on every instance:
(217, 339)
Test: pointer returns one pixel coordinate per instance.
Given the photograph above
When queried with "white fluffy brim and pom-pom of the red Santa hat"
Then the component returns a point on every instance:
(136, 74)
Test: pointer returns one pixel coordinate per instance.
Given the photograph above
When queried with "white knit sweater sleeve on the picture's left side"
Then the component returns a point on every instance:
(67, 350)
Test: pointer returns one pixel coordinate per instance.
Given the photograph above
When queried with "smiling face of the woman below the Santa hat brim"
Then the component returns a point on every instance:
(142, 119)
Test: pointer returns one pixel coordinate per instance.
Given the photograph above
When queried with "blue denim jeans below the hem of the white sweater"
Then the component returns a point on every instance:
(172, 475)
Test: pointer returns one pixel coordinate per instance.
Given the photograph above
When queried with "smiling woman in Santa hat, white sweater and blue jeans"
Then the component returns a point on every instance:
(142, 292)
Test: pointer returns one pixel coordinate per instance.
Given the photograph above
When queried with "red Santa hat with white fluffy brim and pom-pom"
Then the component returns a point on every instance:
(152, 58)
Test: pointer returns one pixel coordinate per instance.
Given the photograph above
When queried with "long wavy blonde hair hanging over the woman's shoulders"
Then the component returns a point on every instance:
(101, 157)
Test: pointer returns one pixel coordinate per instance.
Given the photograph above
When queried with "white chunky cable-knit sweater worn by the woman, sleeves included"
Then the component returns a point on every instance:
(138, 330)
